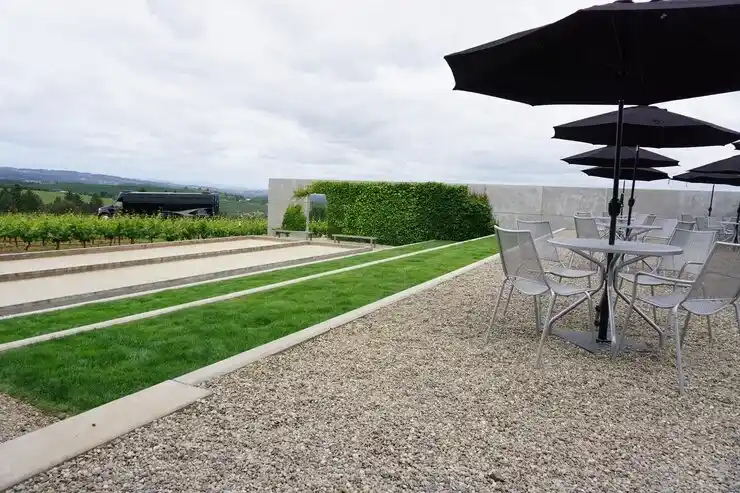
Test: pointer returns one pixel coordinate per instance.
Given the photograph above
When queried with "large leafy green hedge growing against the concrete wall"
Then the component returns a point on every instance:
(401, 213)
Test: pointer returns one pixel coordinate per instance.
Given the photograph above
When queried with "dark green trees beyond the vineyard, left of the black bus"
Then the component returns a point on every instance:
(19, 199)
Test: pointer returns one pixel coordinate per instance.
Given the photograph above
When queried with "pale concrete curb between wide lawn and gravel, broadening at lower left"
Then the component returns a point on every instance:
(43, 449)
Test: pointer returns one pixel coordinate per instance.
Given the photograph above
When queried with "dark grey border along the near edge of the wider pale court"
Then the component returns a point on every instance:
(63, 301)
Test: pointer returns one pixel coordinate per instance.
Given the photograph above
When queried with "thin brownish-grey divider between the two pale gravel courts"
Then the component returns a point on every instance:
(76, 269)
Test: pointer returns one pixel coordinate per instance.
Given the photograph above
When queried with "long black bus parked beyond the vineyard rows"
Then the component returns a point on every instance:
(164, 203)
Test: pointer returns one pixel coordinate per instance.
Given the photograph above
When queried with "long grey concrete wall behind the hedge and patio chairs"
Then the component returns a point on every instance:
(556, 204)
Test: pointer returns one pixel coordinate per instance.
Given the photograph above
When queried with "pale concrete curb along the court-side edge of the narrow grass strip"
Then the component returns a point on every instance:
(311, 261)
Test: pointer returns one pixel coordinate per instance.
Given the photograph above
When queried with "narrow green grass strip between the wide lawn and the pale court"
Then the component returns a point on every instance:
(14, 329)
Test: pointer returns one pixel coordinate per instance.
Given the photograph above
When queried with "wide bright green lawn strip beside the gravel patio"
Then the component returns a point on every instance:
(80, 372)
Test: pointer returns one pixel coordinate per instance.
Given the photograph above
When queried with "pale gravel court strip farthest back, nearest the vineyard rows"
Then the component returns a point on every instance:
(15, 266)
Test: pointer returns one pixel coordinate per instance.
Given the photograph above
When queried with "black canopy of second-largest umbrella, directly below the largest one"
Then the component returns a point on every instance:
(647, 126)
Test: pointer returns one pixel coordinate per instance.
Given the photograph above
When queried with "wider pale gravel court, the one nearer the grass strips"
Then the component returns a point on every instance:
(37, 290)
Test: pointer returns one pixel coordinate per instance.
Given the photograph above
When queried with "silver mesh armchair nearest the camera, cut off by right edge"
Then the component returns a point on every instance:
(716, 287)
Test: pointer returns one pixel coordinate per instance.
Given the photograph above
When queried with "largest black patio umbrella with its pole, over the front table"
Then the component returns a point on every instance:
(619, 53)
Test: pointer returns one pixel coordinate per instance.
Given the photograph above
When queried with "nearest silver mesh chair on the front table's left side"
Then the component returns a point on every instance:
(523, 272)
